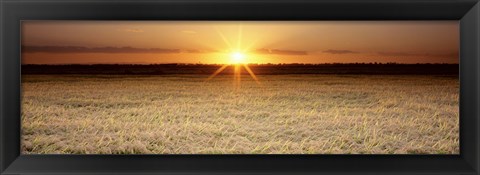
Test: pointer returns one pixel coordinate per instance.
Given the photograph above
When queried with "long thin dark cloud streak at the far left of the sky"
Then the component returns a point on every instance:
(80, 49)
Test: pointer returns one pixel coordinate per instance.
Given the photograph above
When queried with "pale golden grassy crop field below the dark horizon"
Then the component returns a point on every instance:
(286, 114)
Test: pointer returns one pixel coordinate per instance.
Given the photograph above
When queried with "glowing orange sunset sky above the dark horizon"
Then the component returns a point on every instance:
(146, 42)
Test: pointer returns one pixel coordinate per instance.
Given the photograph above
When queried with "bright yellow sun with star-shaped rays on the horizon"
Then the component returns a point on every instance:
(238, 59)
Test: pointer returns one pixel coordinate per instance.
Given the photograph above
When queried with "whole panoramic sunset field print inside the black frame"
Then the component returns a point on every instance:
(240, 87)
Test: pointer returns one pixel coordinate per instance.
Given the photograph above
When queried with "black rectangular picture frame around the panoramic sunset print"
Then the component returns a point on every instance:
(14, 11)
